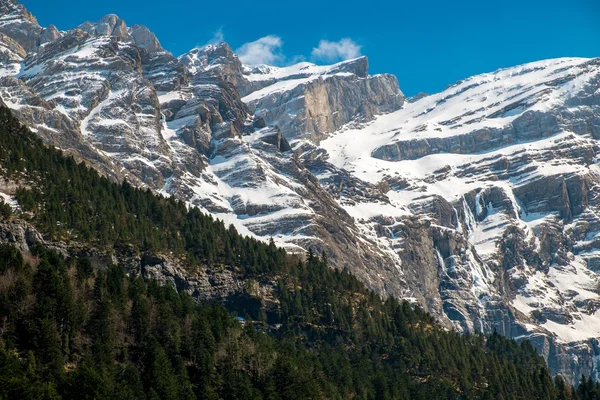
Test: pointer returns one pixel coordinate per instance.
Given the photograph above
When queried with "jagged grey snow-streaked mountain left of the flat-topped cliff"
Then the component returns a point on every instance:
(180, 127)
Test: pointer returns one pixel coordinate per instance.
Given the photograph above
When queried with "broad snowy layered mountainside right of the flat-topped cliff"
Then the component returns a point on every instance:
(505, 164)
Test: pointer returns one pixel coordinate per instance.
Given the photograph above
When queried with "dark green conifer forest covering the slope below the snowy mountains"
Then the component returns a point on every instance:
(75, 331)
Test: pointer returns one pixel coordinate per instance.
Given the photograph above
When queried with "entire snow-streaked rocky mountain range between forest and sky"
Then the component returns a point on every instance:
(478, 203)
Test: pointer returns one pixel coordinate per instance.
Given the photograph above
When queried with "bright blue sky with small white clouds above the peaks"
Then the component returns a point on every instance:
(427, 44)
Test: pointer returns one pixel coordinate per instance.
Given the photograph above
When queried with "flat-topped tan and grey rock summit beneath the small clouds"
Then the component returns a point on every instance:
(310, 102)
